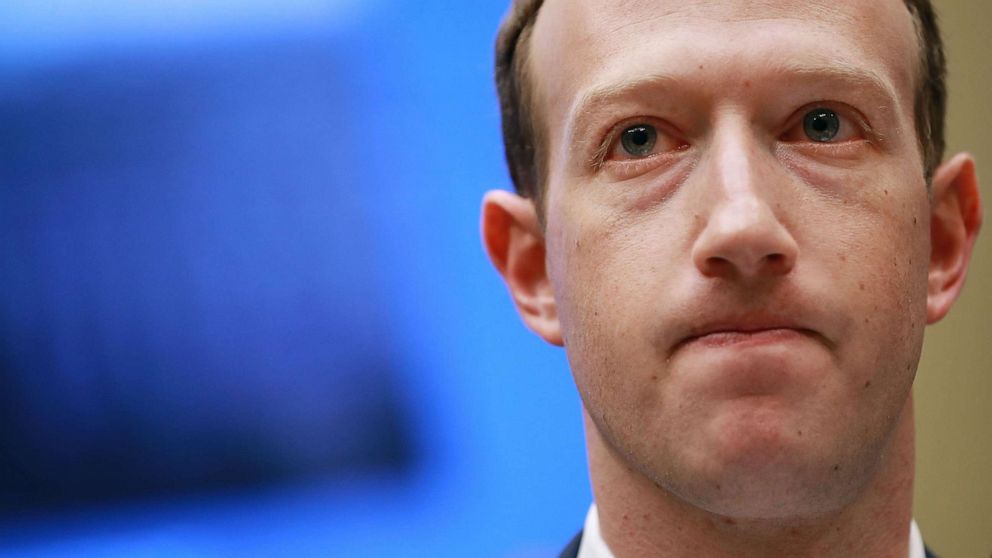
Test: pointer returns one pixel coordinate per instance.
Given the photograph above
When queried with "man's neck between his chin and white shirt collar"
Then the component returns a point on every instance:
(638, 518)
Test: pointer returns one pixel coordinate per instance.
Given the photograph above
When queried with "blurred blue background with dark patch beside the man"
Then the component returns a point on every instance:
(244, 309)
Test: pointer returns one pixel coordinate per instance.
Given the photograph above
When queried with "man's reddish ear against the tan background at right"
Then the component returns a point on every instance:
(955, 218)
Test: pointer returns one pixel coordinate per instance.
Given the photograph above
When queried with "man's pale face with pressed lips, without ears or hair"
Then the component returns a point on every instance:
(737, 237)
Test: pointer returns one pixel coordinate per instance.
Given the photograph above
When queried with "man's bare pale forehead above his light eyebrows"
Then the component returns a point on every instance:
(580, 45)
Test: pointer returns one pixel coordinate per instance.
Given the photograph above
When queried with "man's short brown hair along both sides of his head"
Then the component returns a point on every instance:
(522, 136)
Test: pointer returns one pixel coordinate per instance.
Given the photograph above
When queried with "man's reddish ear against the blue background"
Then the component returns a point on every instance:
(514, 241)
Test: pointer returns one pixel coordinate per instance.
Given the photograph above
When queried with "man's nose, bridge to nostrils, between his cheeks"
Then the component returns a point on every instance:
(743, 204)
